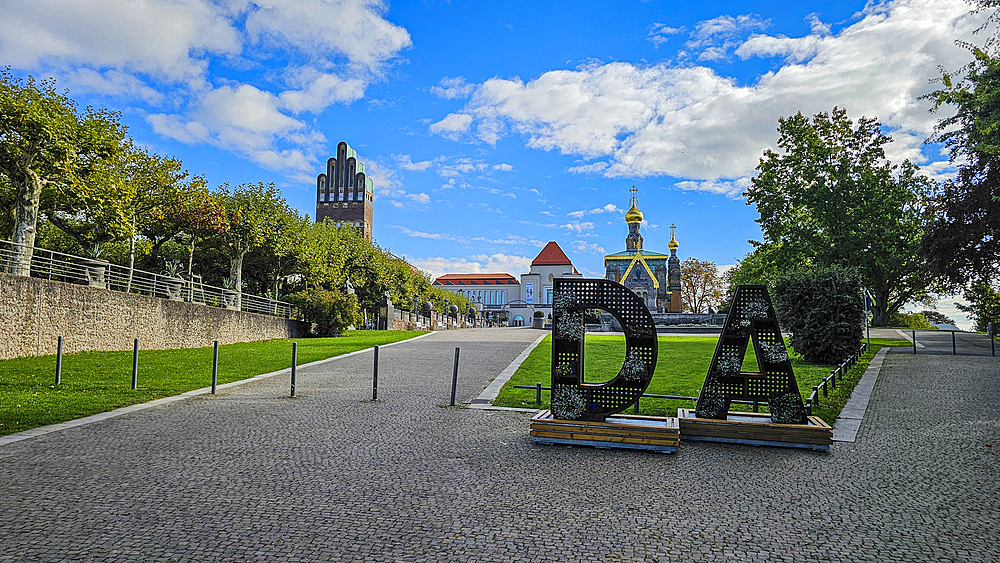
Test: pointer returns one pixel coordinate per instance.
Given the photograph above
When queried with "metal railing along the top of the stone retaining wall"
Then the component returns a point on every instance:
(57, 266)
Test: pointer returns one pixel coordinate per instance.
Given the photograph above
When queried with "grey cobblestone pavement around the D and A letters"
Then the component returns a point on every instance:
(249, 475)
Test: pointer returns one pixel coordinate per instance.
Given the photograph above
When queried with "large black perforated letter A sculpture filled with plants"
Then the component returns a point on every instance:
(751, 316)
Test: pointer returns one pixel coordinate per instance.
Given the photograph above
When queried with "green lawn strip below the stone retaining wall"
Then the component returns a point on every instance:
(94, 382)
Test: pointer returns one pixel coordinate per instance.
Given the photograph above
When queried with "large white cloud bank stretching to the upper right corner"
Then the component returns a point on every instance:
(692, 123)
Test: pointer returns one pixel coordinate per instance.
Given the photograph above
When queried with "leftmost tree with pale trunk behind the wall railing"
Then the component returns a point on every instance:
(43, 141)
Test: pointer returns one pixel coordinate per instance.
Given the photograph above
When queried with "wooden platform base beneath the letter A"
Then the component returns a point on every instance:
(755, 429)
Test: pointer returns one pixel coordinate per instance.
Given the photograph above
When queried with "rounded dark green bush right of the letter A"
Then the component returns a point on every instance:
(823, 310)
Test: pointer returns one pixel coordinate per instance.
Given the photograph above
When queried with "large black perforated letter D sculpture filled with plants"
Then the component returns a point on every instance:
(572, 398)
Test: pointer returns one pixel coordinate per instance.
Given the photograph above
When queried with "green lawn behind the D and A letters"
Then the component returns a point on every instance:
(681, 367)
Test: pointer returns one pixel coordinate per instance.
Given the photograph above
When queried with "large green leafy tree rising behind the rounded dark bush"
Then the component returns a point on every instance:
(830, 198)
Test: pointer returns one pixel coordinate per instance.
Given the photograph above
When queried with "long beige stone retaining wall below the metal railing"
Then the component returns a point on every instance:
(34, 312)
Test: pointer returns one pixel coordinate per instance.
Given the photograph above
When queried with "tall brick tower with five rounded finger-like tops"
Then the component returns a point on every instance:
(344, 193)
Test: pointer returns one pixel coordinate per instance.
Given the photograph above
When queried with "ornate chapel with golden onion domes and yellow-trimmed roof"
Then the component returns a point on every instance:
(653, 276)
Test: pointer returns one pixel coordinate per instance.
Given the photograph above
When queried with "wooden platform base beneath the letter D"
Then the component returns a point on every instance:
(658, 434)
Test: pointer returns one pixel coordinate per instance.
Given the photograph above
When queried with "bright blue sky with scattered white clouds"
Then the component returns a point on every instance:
(492, 127)
